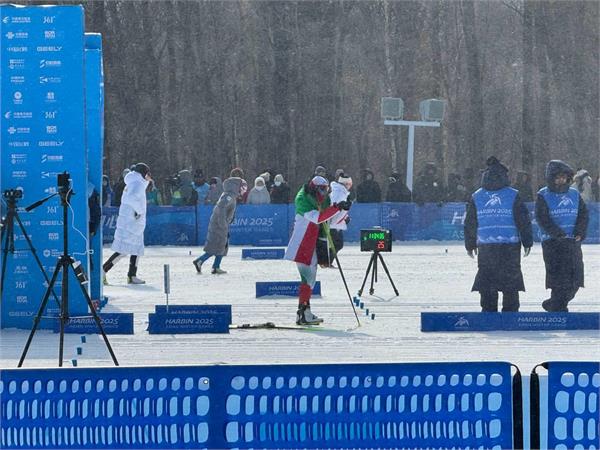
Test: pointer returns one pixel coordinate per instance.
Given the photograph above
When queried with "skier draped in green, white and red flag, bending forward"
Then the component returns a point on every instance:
(313, 208)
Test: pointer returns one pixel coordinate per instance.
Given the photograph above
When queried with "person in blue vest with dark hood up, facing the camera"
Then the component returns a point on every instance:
(562, 217)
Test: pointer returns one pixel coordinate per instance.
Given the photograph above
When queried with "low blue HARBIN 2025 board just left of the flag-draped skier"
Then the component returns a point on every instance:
(186, 323)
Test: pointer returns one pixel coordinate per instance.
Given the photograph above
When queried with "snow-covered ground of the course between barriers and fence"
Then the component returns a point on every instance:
(434, 277)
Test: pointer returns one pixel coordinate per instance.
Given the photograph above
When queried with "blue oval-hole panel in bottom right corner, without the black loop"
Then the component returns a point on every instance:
(573, 405)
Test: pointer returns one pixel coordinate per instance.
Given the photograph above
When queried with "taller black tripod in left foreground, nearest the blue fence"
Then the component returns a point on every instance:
(62, 266)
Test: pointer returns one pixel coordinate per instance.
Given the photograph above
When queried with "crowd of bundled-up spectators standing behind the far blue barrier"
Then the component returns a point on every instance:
(187, 188)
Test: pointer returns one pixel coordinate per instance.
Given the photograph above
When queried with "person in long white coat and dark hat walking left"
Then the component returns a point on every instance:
(131, 223)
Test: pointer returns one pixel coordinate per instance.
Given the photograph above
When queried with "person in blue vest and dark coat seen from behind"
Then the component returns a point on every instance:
(497, 223)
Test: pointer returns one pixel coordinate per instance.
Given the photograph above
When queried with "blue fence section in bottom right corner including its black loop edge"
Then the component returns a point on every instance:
(572, 402)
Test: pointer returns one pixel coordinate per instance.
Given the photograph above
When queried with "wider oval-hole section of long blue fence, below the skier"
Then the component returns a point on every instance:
(329, 408)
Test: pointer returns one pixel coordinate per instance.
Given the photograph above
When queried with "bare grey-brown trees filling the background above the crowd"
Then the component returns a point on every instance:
(288, 85)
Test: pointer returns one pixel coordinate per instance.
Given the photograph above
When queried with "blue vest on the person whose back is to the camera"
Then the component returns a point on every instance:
(495, 220)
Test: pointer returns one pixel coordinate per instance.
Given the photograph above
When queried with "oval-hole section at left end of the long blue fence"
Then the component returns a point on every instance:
(144, 407)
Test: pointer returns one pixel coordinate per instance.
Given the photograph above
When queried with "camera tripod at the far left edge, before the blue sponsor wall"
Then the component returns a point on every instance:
(12, 214)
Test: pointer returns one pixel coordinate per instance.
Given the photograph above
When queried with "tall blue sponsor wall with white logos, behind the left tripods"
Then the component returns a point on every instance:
(42, 135)
